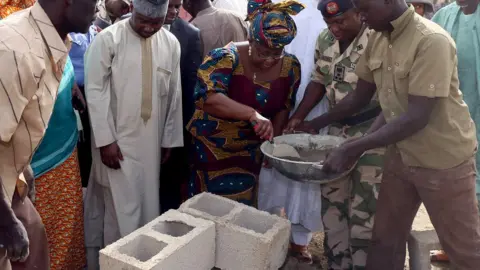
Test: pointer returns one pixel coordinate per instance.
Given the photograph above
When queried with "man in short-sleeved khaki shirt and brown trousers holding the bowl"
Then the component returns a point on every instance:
(411, 64)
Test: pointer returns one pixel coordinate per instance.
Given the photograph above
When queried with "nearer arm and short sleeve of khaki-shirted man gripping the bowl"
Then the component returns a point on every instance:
(429, 82)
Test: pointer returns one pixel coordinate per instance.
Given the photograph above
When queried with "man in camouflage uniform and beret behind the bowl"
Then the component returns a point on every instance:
(348, 205)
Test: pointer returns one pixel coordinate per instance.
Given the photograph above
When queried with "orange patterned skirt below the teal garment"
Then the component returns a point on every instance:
(59, 203)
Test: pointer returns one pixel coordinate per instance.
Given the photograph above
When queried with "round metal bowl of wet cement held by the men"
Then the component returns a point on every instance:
(302, 171)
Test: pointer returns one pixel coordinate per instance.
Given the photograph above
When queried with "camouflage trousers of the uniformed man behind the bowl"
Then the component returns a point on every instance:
(348, 208)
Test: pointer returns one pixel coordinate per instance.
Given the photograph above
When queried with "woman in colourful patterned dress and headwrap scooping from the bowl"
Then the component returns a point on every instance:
(244, 94)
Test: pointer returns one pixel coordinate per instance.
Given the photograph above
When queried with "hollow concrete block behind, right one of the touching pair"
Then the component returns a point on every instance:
(246, 237)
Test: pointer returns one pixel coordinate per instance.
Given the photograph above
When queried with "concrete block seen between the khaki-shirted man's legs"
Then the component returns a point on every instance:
(421, 241)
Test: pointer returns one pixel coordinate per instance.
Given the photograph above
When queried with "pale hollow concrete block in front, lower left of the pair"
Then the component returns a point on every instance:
(173, 241)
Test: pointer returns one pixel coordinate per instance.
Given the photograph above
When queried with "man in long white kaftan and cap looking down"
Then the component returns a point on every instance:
(133, 92)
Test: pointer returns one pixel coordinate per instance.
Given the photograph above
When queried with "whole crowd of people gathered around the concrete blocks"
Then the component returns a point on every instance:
(113, 112)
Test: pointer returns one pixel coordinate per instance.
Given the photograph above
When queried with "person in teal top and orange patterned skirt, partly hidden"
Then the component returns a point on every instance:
(58, 184)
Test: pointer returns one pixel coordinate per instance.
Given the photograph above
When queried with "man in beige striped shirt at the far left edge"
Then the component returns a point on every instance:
(32, 56)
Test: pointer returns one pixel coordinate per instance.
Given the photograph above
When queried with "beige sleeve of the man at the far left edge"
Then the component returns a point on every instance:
(17, 87)
